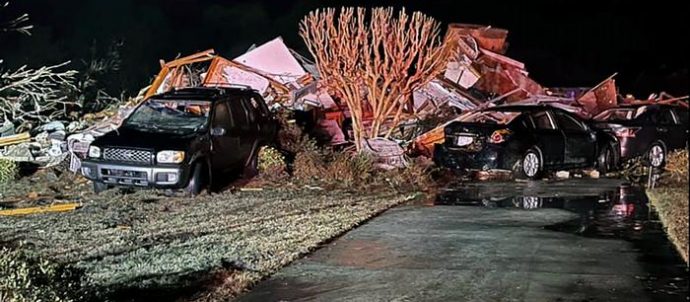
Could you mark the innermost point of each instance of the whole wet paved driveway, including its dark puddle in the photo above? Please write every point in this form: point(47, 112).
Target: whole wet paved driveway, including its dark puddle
point(575, 240)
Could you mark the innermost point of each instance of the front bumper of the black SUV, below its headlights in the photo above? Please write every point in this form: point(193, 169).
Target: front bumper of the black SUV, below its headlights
point(118, 174)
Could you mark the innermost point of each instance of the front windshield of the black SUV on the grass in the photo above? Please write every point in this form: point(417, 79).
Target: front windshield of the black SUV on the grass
point(184, 116)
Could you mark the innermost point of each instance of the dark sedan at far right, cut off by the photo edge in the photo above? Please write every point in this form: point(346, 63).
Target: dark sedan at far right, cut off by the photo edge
point(646, 130)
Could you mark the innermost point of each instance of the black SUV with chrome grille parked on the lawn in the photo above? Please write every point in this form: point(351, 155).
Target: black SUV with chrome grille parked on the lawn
point(185, 139)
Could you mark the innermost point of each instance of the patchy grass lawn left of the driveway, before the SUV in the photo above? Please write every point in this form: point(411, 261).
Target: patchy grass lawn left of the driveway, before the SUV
point(146, 244)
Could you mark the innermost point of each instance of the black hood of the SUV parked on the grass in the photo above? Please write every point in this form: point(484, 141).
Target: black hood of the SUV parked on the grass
point(133, 138)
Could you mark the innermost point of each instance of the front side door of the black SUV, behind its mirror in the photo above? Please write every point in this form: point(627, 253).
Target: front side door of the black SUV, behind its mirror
point(224, 141)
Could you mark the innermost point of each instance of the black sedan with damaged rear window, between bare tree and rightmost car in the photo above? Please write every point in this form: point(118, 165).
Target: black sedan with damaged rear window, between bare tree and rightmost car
point(528, 139)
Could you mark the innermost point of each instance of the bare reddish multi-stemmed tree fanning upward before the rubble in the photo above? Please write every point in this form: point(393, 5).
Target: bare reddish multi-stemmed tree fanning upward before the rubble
point(374, 65)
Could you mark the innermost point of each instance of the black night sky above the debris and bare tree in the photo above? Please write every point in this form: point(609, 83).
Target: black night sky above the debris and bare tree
point(563, 43)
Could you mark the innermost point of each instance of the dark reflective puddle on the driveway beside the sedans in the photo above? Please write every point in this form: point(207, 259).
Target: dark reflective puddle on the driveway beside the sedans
point(619, 212)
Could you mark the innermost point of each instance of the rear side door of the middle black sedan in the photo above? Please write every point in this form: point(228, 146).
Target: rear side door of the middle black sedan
point(549, 139)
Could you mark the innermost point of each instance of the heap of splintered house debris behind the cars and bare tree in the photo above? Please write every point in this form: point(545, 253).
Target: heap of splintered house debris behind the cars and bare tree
point(477, 75)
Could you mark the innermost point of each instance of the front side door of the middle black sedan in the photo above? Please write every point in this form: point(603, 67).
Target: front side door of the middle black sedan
point(580, 141)
